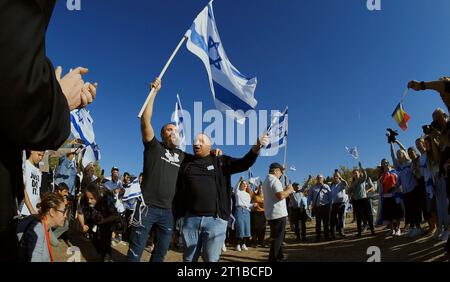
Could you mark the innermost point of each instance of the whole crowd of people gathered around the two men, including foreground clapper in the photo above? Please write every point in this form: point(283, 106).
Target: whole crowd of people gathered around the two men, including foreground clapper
point(189, 193)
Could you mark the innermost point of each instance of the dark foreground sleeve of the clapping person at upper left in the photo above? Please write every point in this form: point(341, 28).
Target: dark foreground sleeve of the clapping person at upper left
point(34, 113)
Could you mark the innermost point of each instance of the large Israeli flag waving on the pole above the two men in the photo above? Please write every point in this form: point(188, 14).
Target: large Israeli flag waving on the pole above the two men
point(231, 90)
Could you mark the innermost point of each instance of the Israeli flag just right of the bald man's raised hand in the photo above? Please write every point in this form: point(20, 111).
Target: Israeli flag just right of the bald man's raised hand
point(278, 132)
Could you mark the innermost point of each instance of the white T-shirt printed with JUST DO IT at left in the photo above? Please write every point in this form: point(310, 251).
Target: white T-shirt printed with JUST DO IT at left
point(32, 177)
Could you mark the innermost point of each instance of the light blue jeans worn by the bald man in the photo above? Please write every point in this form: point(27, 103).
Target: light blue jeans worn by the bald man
point(203, 235)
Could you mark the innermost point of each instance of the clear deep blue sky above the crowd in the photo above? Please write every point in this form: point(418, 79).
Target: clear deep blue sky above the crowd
point(340, 68)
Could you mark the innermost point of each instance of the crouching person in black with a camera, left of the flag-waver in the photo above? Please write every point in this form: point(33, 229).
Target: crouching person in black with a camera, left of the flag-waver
point(98, 217)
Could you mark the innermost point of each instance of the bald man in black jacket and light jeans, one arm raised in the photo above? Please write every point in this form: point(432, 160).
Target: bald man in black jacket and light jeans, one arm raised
point(203, 197)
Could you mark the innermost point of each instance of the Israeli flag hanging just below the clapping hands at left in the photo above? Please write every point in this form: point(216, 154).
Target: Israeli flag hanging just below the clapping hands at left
point(81, 126)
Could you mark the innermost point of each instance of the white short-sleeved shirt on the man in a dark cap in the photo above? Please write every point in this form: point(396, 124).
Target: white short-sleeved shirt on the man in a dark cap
point(273, 207)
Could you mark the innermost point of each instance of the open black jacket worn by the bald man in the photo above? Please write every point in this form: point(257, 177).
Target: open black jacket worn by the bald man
point(224, 166)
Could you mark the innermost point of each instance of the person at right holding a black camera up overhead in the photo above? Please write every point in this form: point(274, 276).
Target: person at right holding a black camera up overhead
point(409, 187)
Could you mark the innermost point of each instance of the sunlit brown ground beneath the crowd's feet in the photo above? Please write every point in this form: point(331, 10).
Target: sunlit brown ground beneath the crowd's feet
point(422, 248)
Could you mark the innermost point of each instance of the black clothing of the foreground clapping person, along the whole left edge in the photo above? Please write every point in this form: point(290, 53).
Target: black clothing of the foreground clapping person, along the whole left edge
point(34, 114)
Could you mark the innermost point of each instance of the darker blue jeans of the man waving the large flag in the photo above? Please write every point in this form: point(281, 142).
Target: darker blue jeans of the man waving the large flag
point(163, 219)
